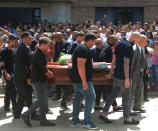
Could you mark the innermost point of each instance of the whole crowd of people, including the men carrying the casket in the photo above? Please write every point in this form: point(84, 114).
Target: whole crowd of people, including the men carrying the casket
point(131, 49)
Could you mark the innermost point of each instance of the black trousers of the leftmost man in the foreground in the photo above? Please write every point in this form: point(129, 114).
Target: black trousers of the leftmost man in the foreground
point(10, 94)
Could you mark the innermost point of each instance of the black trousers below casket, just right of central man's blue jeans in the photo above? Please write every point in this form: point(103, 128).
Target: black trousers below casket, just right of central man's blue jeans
point(106, 91)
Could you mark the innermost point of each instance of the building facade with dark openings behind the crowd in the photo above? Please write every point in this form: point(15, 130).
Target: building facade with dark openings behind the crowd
point(77, 11)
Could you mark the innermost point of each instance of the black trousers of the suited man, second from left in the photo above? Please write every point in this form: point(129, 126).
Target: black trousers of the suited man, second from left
point(24, 97)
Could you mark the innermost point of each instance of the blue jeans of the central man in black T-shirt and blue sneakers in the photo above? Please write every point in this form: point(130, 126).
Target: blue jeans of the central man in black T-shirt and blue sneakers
point(90, 96)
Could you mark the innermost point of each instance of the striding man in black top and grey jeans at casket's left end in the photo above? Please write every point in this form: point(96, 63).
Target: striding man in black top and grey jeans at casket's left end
point(40, 73)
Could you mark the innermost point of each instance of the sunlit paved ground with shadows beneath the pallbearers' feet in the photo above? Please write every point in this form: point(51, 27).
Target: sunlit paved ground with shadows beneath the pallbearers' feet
point(62, 119)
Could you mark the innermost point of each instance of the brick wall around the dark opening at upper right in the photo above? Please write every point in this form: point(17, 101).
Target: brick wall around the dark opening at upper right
point(85, 9)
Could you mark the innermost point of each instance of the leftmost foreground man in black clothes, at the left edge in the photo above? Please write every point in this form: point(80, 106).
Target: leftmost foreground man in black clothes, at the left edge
point(7, 60)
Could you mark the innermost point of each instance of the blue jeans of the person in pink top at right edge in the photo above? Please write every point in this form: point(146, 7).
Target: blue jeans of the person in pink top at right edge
point(154, 72)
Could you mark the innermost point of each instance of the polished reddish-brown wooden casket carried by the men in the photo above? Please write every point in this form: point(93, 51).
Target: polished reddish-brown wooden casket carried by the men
point(62, 77)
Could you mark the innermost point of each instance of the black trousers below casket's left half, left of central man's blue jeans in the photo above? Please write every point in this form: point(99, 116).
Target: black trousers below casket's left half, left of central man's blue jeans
point(67, 91)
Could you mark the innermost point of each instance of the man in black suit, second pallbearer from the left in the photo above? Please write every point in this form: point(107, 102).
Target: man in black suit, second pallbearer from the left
point(22, 75)
